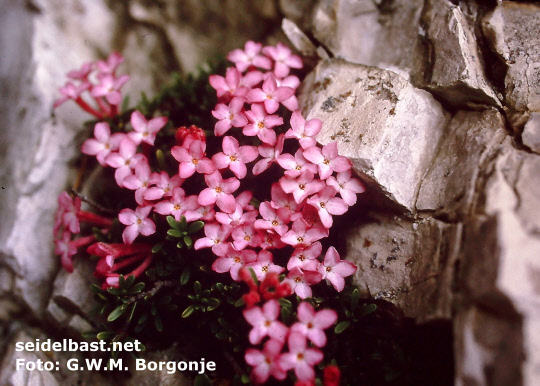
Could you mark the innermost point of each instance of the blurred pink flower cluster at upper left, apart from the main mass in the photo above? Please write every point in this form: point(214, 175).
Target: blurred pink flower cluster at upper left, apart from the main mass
point(99, 80)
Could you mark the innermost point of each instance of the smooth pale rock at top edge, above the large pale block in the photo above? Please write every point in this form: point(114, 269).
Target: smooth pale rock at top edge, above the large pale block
point(386, 34)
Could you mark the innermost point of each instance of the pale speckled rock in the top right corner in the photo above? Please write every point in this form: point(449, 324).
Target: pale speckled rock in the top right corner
point(512, 30)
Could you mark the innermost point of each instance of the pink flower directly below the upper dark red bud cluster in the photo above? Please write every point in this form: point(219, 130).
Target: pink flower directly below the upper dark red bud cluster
point(192, 160)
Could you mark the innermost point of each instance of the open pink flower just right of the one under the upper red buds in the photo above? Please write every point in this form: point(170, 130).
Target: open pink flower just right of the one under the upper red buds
point(235, 157)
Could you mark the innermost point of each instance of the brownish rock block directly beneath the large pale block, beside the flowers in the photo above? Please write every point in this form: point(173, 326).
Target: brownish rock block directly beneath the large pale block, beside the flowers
point(407, 263)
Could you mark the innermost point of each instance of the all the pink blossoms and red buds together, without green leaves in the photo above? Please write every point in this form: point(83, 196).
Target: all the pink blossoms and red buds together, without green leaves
point(255, 97)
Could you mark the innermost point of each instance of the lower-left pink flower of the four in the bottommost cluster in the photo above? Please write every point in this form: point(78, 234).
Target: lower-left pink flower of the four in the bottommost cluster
point(266, 362)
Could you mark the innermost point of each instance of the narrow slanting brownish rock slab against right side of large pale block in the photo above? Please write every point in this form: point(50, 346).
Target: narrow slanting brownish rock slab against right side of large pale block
point(449, 185)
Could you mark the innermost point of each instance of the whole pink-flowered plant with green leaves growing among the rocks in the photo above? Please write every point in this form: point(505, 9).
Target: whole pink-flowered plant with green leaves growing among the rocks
point(217, 219)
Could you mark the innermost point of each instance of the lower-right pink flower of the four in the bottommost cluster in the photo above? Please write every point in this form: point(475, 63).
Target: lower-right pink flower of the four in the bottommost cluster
point(300, 358)
